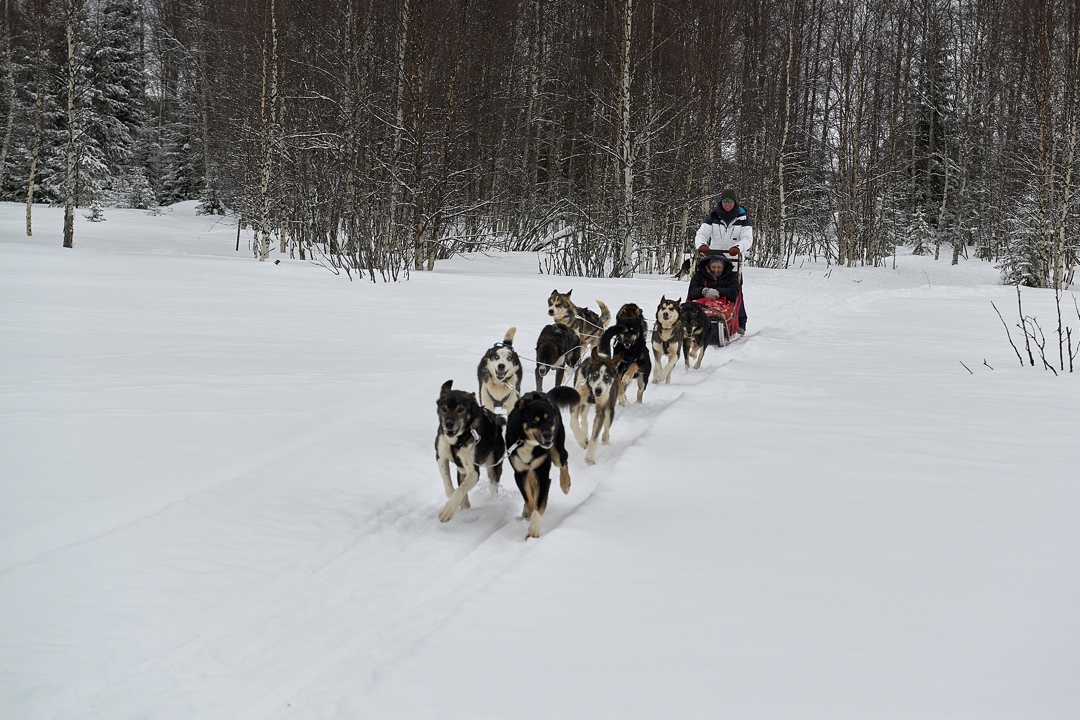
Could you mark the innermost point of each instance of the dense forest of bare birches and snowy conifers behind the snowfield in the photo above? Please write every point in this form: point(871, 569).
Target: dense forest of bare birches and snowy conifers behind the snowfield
point(380, 137)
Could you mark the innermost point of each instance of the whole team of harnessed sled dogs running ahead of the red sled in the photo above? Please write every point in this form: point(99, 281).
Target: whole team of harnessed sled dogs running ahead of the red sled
point(604, 362)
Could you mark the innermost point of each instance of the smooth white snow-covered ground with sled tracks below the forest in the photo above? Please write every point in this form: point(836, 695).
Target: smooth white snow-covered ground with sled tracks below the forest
point(219, 498)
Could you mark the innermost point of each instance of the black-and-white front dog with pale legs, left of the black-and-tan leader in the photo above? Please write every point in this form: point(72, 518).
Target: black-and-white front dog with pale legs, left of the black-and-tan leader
point(469, 437)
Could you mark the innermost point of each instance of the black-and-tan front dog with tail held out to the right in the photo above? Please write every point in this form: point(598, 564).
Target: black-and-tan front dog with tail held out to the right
point(537, 441)
